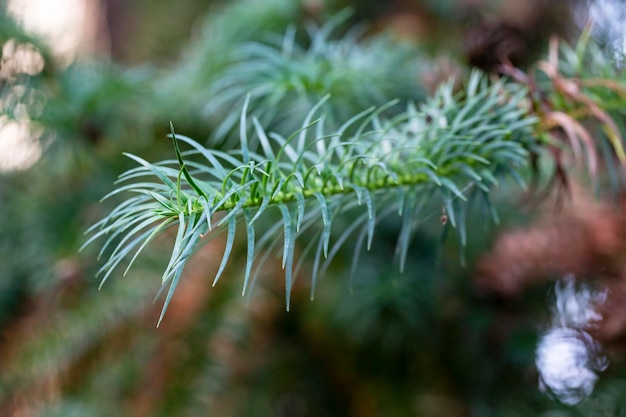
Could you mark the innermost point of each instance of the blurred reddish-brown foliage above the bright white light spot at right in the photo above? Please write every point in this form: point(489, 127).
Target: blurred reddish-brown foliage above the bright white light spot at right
point(581, 236)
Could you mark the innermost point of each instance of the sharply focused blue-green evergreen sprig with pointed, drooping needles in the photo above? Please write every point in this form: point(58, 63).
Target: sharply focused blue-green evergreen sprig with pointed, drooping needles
point(435, 152)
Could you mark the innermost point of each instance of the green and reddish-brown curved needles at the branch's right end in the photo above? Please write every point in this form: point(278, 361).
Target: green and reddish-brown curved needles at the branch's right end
point(577, 94)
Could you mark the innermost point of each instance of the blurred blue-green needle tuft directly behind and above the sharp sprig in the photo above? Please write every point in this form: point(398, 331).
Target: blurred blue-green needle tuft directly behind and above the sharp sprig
point(286, 75)
